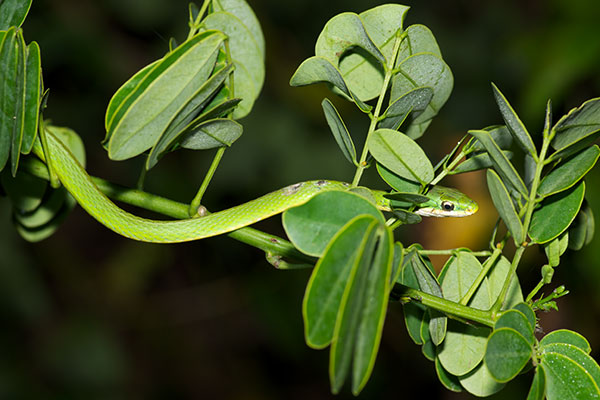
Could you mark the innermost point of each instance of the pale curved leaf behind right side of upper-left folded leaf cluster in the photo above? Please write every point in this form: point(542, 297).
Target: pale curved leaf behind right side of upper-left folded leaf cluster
point(246, 54)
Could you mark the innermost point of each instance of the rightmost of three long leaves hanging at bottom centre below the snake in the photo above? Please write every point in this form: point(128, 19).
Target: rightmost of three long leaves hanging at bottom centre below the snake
point(373, 310)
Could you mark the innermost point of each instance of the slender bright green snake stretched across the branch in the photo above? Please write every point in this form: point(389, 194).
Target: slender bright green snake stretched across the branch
point(442, 202)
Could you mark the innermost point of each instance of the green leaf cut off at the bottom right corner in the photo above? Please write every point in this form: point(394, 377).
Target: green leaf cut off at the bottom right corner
point(566, 379)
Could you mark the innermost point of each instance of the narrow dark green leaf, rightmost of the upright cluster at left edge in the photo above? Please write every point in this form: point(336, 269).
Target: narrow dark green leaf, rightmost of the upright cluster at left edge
point(33, 87)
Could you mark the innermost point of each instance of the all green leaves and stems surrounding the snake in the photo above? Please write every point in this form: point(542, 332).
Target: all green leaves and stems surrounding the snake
point(472, 319)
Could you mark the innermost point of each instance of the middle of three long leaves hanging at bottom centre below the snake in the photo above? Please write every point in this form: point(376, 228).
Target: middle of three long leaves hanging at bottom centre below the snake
point(348, 315)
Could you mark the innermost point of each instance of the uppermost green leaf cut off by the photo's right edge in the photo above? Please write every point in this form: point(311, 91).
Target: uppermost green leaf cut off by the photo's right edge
point(578, 124)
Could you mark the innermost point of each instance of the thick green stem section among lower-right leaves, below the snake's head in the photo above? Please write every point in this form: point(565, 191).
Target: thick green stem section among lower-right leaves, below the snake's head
point(448, 307)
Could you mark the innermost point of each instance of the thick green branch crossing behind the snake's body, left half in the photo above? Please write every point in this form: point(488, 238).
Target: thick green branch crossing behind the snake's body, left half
point(161, 205)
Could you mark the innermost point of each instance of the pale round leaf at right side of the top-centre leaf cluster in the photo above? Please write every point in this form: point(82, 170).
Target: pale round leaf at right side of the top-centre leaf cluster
point(423, 70)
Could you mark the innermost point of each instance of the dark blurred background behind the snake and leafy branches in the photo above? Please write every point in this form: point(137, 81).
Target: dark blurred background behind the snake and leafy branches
point(88, 314)
